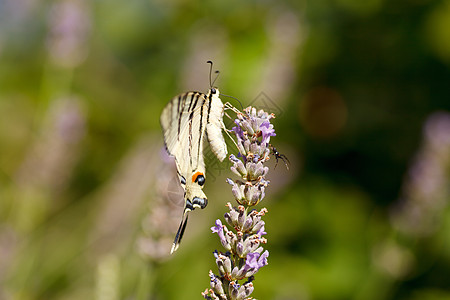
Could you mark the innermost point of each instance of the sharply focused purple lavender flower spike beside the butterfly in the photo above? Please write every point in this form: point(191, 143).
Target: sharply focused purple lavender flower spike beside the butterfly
point(244, 255)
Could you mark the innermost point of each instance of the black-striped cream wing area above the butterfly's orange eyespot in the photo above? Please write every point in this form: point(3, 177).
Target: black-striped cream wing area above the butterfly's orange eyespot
point(184, 123)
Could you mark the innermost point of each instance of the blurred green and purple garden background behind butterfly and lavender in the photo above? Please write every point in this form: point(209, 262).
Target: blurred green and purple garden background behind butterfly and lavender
point(89, 203)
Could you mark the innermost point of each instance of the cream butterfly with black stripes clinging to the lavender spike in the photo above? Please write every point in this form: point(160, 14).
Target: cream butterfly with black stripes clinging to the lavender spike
point(184, 121)
